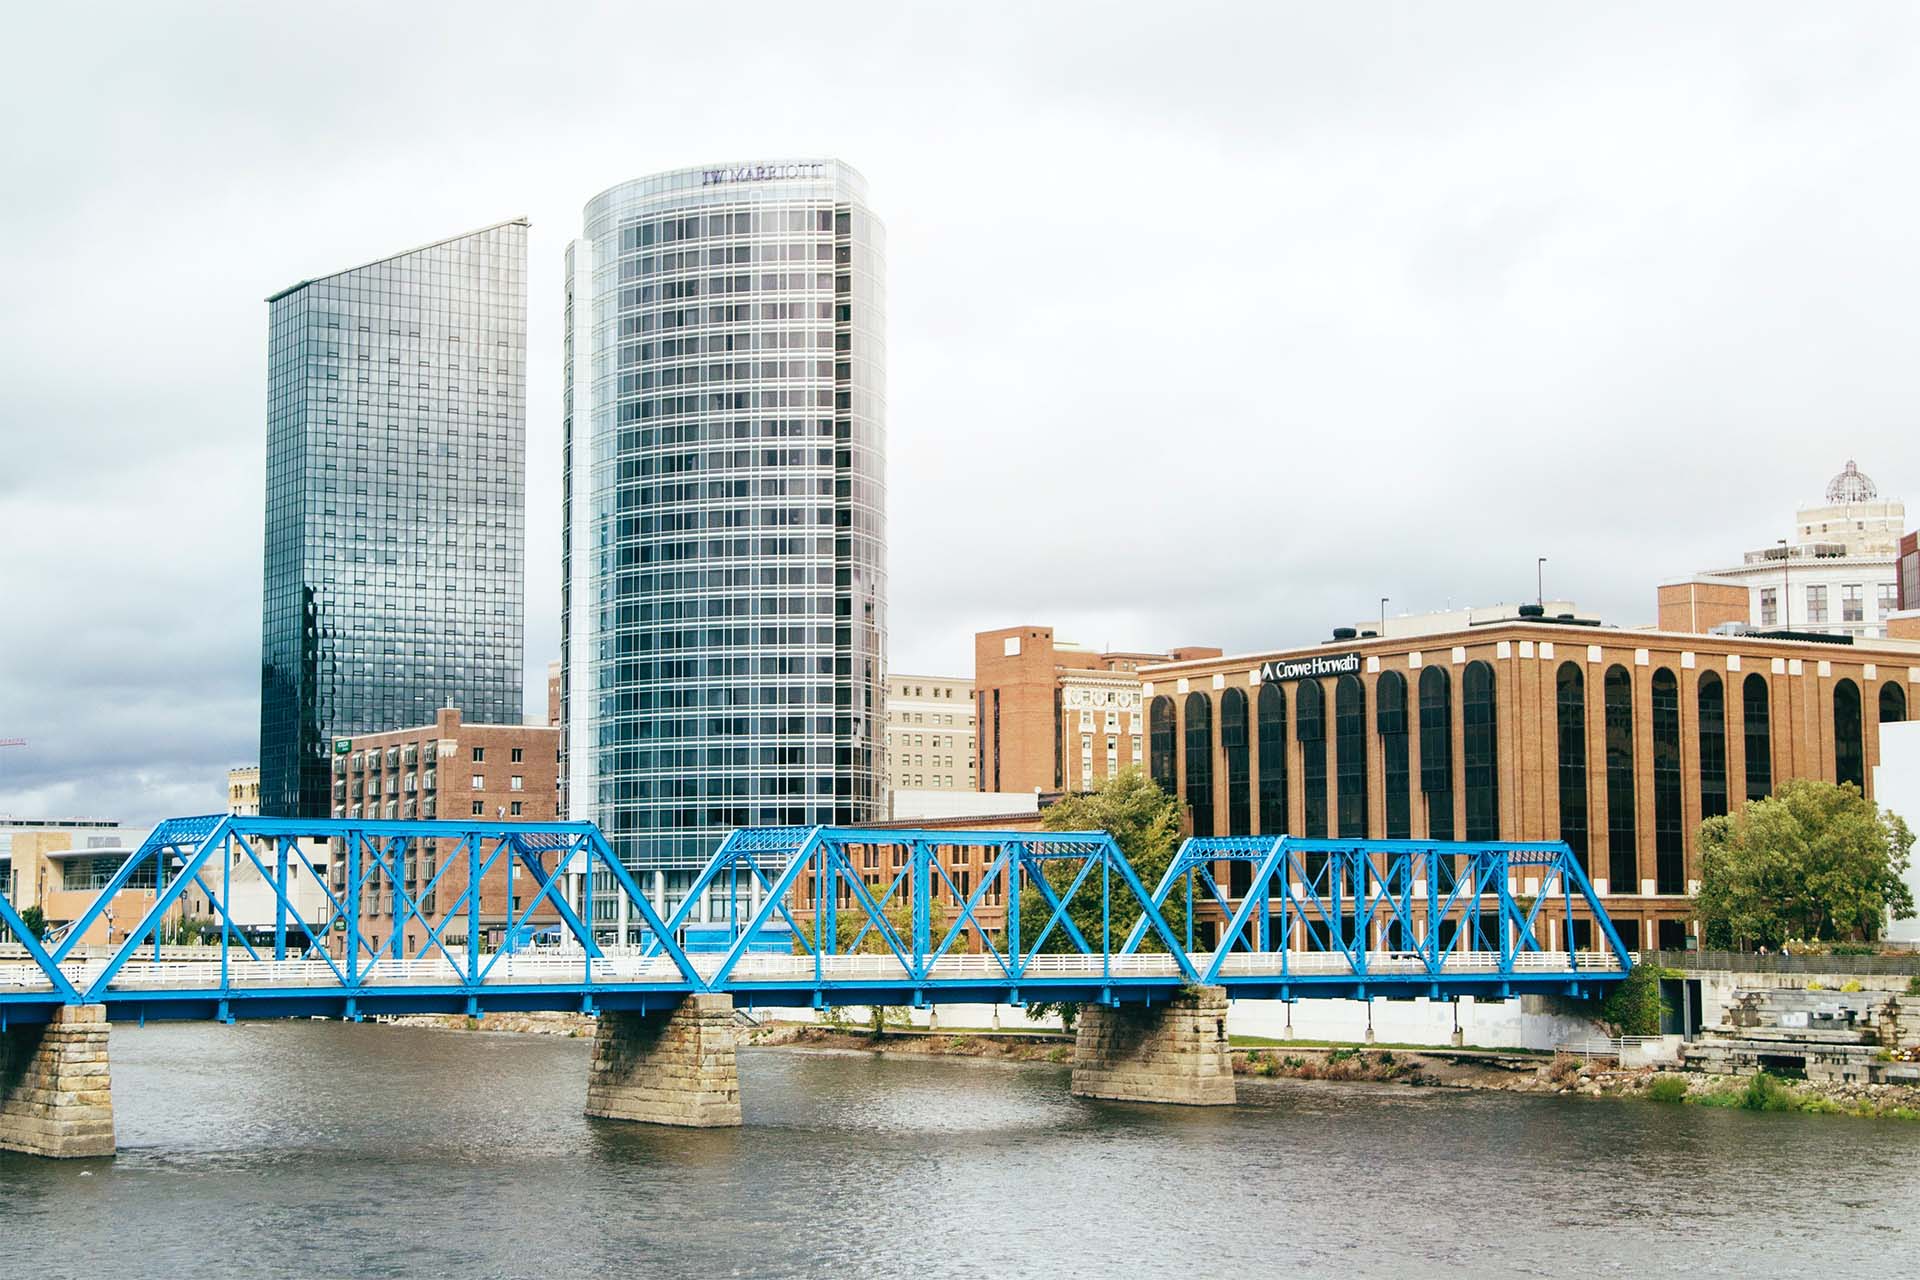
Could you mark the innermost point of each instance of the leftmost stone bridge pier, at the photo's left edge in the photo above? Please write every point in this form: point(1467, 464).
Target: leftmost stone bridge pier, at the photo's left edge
point(57, 1093)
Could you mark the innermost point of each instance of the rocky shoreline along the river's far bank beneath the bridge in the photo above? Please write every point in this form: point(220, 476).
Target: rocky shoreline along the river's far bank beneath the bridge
point(1416, 1068)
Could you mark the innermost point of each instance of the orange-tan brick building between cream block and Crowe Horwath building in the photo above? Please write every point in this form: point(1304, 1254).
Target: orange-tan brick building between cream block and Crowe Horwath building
point(1057, 717)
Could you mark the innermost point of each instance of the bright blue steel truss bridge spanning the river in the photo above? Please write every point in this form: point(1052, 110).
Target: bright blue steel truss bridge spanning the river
point(807, 916)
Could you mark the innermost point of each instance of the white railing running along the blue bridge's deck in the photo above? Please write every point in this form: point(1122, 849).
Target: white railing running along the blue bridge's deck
point(573, 968)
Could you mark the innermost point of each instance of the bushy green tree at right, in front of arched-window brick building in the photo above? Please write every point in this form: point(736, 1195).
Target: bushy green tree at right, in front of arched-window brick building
point(1815, 861)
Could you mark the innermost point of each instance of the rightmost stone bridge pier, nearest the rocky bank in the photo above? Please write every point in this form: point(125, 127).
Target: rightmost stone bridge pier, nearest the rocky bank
point(1172, 1053)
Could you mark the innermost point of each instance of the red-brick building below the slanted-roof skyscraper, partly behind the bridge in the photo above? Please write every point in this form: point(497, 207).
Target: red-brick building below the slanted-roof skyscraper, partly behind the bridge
point(446, 770)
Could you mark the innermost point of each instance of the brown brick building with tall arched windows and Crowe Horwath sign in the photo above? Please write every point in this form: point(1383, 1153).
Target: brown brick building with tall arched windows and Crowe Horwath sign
point(1525, 730)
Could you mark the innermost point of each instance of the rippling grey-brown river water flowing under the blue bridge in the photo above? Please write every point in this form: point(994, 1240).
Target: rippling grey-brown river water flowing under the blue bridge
point(337, 1150)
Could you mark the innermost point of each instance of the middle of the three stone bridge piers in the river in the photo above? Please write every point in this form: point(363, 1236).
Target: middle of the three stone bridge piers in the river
point(667, 1068)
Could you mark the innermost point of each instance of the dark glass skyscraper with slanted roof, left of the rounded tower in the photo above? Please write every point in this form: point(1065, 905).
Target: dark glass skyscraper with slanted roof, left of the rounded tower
point(396, 504)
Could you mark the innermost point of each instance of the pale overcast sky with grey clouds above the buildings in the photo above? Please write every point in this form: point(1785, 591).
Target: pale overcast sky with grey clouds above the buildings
point(1207, 323)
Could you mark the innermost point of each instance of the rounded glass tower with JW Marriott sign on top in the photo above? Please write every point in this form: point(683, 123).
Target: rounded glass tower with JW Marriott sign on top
point(725, 559)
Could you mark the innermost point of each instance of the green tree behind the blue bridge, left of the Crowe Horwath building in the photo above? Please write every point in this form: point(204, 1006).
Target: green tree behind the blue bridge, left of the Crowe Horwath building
point(1147, 826)
